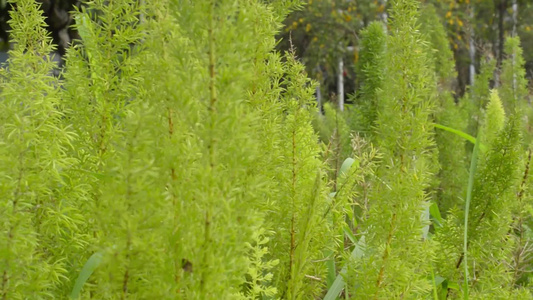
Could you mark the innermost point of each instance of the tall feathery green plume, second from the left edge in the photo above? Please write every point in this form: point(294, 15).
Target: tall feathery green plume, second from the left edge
point(115, 149)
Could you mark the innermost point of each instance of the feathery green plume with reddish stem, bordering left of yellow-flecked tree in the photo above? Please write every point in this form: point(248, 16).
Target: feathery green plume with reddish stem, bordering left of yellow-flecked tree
point(294, 188)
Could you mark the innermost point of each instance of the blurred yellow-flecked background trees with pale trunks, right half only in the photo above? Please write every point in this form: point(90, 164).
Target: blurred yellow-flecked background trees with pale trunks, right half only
point(325, 31)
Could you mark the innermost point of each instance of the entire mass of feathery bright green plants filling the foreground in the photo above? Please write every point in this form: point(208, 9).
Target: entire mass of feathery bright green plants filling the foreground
point(179, 156)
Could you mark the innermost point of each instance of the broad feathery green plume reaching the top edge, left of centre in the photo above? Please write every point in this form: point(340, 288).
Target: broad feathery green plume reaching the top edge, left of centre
point(211, 140)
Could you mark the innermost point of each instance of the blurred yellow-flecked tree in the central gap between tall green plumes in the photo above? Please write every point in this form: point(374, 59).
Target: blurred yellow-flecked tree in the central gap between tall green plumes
point(322, 33)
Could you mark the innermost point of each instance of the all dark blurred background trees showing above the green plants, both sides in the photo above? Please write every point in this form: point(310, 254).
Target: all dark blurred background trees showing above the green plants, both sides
point(324, 33)
